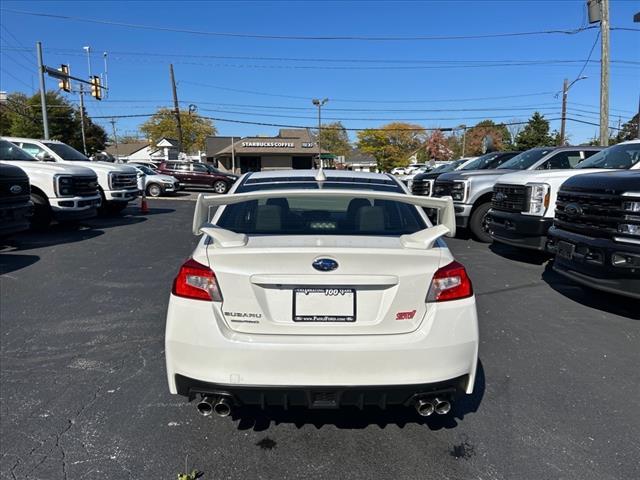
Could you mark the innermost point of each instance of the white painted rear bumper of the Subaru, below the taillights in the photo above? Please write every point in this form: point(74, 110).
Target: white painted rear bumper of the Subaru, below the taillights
point(200, 347)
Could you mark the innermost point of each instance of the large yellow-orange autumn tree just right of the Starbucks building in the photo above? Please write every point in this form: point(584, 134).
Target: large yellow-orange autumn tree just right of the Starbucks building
point(392, 144)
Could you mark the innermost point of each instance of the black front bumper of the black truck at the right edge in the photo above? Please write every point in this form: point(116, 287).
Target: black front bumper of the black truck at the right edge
point(591, 264)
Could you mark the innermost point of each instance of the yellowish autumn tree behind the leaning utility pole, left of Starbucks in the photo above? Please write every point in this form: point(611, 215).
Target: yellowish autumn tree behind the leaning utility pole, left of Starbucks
point(195, 129)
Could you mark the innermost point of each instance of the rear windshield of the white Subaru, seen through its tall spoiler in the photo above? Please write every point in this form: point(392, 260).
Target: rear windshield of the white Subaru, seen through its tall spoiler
point(322, 215)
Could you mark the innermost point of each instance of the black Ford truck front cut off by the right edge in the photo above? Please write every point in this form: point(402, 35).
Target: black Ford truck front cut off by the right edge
point(596, 232)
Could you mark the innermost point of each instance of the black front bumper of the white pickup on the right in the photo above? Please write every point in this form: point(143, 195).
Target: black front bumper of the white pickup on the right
point(519, 230)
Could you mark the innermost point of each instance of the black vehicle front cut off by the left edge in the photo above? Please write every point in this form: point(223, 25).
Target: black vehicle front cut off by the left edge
point(15, 203)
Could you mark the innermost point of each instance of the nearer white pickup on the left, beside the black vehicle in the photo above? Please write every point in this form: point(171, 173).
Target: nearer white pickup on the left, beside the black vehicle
point(58, 191)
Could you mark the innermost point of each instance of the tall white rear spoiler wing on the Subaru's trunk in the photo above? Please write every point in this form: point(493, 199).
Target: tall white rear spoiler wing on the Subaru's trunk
point(422, 239)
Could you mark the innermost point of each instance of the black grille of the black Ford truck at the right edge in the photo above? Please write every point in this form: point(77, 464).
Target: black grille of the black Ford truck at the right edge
point(595, 214)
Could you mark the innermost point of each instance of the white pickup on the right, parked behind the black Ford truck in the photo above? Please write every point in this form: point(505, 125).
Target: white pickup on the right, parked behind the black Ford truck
point(522, 205)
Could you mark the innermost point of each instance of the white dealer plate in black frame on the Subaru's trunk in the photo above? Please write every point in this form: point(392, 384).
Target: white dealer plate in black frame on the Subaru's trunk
point(324, 305)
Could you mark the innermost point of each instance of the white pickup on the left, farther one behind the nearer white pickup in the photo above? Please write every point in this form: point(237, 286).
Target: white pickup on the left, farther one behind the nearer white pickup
point(118, 184)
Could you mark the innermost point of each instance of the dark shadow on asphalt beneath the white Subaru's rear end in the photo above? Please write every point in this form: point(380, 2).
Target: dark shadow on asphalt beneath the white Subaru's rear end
point(250, 418)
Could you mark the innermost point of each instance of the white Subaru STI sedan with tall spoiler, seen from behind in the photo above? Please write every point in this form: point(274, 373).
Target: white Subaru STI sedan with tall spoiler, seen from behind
point(321, 289)
